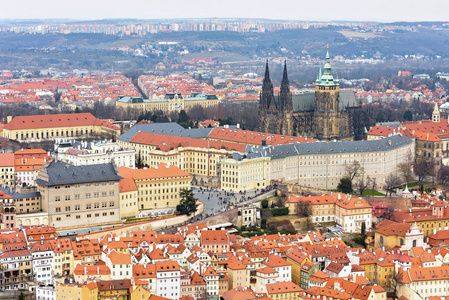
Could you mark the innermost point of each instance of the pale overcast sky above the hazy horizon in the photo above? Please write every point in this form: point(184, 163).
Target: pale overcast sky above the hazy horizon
point(316, 10)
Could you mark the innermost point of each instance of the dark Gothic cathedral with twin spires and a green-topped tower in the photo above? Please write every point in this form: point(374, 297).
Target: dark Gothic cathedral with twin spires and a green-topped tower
point(326, 114)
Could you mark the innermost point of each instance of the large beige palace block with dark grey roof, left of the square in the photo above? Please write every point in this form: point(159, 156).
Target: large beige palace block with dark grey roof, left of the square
point(74, 195)
